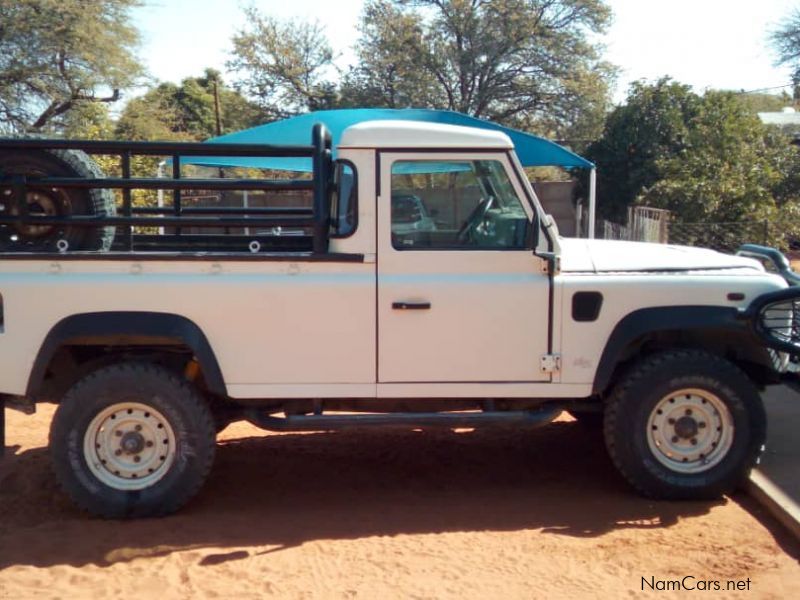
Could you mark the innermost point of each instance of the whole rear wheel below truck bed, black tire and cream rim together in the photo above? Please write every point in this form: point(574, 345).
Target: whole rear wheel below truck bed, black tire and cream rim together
point(132, 439)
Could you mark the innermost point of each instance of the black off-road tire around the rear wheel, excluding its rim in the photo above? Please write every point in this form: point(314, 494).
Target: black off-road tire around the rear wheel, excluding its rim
point(132, 384)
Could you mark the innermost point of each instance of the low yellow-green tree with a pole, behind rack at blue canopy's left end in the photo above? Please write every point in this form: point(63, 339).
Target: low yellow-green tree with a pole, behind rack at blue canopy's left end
point(198, 108)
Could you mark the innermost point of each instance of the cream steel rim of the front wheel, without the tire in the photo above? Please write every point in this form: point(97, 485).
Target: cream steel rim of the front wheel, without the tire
point(690, 430)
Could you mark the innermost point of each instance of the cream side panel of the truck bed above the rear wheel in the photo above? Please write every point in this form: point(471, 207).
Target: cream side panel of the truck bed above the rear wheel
point(267, 322)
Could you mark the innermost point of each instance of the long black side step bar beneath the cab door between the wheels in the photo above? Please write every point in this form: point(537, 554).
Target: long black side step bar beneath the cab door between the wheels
point(323, 422)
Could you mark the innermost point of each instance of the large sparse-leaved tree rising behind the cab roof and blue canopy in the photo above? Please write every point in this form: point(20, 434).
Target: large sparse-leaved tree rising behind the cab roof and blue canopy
point(519, 62)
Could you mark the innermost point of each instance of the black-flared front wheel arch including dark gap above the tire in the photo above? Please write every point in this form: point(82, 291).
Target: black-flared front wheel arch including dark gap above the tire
point(717, 329)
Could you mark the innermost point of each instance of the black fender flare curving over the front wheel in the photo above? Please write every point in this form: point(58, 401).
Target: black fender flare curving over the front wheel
point(694, 319)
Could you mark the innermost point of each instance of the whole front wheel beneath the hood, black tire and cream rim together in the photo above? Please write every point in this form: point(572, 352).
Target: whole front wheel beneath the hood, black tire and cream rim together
point(684, 425)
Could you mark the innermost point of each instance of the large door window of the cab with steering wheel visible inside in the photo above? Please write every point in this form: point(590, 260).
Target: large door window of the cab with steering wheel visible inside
point(452, 205)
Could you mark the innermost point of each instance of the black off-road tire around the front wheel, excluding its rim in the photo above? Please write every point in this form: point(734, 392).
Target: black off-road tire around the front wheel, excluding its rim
point(629, 411)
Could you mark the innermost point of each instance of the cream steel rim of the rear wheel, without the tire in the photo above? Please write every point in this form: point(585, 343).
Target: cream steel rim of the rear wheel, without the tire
point(129, 446)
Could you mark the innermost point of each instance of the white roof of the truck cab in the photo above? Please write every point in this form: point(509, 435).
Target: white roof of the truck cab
point(420, 134)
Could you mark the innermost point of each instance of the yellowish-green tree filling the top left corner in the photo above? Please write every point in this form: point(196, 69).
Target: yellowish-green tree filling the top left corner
point(56, 55)
